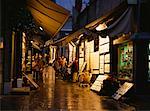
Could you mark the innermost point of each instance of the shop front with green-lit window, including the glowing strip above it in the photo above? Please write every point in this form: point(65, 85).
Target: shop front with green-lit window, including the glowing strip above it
point(124, 58)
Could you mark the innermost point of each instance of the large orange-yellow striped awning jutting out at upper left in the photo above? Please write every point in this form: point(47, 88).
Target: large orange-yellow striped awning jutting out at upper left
point(48, 15)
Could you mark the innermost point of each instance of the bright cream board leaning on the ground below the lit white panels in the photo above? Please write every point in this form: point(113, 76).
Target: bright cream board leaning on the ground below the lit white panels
point(98, 83)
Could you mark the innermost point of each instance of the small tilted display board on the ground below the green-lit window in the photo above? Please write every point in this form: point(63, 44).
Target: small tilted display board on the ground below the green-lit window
point(122, 90)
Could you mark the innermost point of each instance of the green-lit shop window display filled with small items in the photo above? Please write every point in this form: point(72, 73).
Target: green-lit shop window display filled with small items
point(125, 61)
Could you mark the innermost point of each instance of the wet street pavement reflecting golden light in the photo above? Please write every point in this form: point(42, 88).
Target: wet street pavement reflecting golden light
point(59, 95)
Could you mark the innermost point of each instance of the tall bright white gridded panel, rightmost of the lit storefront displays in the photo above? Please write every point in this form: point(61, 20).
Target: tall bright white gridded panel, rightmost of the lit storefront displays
point(104, 52)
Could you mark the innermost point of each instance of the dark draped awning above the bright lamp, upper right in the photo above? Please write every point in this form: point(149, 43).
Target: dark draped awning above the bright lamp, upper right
point(118, 21)
